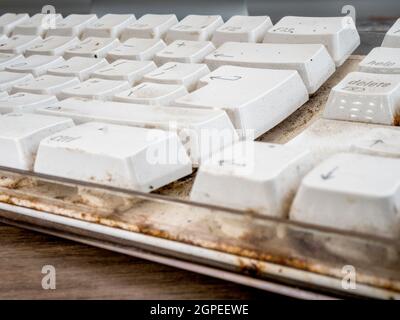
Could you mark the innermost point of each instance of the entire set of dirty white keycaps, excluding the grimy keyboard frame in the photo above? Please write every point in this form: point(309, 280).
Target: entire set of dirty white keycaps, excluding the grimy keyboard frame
point(138, 103)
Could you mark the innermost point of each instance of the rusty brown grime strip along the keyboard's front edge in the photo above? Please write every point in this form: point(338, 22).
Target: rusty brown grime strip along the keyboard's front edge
point(146, 227)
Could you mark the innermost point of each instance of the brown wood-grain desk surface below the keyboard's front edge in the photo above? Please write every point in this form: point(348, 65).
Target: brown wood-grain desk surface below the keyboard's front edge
point(85, 272)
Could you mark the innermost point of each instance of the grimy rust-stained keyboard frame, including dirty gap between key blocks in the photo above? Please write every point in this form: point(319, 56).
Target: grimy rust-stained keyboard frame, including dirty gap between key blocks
point(273, 254)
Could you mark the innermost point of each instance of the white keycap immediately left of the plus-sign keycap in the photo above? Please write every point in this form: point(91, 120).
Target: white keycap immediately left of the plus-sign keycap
point(137, 49)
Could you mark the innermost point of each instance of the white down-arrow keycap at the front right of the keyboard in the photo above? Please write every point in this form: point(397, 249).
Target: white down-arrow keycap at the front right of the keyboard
point(353, 193)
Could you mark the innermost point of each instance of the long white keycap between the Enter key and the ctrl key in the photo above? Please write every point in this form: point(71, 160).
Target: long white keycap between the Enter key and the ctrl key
point(203, 132)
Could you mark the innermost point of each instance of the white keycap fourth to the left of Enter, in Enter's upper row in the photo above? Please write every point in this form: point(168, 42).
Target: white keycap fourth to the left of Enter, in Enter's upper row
point(37, 64)
